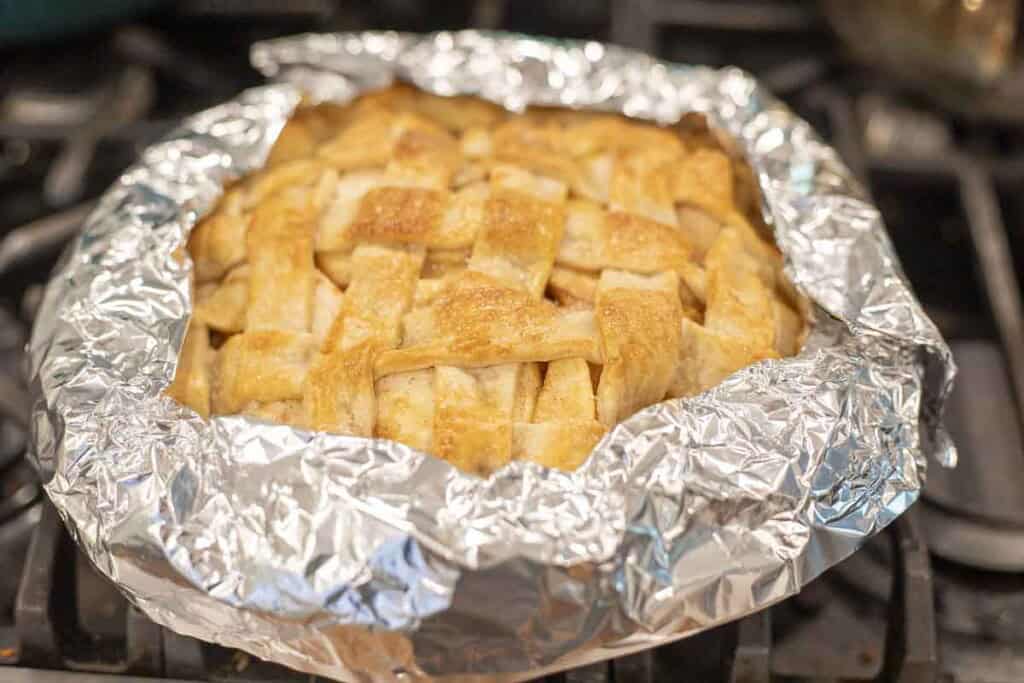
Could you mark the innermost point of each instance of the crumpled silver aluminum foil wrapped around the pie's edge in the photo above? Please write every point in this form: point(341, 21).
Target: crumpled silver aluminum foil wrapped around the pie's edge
point(366, 561)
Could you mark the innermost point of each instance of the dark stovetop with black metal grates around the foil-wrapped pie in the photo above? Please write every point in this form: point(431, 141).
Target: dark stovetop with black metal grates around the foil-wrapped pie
point(937, 597)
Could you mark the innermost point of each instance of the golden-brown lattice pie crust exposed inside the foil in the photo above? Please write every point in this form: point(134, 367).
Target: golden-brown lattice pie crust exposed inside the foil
point(479, 285)
